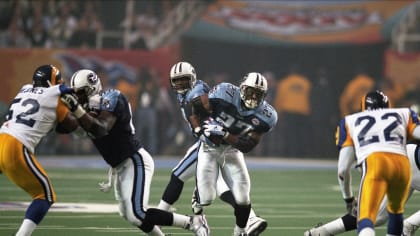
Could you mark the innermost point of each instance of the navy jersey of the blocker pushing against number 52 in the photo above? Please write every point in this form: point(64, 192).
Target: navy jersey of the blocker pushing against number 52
point(120, 143)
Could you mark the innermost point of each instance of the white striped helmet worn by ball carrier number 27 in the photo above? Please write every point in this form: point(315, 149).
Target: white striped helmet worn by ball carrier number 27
point(253, 89)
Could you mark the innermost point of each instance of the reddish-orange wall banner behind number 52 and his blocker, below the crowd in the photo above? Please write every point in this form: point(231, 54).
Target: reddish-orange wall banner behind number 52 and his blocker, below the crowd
point(17, 65)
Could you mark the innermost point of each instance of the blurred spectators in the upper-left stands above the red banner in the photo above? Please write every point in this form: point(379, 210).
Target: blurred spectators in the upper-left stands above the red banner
point(77, 23)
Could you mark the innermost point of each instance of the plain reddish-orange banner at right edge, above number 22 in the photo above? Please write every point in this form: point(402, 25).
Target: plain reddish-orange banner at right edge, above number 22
point(403, 69)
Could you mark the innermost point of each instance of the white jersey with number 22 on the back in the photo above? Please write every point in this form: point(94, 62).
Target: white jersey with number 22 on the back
point(382, 130)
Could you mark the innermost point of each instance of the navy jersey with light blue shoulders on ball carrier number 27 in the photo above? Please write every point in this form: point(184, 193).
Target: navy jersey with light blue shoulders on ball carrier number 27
point(227, 109)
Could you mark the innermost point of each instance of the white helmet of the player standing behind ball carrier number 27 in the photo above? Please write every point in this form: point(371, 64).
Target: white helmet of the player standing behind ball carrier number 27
point(182, 77)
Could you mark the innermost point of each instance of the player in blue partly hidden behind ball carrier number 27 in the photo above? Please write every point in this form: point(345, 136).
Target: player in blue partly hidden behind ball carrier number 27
point(188, 89)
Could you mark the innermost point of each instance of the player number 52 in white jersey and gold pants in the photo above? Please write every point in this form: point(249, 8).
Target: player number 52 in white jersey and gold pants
point(33, 113)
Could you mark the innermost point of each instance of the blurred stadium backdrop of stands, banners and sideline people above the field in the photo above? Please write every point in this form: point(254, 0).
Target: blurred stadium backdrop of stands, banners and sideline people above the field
point(317, 56)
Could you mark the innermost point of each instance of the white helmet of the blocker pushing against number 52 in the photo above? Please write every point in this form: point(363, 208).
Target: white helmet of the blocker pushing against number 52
point(87, 82)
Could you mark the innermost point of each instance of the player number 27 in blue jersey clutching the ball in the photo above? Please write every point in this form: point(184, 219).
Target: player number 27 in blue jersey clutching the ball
point(239, 116)
